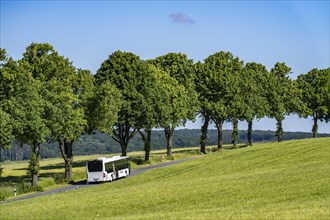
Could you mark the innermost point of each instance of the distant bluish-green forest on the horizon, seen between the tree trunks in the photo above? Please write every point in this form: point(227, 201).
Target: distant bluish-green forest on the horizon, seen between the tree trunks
point(100, 143)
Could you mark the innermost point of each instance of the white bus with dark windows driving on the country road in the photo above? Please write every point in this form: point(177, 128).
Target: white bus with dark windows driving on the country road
point(107, 169)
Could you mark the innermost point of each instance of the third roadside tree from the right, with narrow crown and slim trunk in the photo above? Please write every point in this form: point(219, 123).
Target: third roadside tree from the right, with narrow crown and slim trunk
point(253, 93)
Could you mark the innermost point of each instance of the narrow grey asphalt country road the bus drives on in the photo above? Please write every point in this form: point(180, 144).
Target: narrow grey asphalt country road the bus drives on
point(83, 185)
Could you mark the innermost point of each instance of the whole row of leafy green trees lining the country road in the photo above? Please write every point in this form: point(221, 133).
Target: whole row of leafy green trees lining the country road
point(45, 98)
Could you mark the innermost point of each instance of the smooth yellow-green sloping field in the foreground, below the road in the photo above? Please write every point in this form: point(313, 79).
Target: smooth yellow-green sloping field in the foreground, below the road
point(288, 180)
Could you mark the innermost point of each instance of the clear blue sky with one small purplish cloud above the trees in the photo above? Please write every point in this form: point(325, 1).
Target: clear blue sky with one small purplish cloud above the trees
point(294, 32)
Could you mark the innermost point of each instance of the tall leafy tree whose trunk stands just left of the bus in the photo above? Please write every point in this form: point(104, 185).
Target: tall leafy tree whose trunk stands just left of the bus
point(65, 114)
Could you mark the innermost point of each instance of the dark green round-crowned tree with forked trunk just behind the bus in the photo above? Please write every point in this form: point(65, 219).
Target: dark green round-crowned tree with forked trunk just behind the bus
point(129, 74)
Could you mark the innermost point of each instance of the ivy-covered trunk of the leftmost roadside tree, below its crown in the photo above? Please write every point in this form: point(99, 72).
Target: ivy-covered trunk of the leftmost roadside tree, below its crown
point(34, 163)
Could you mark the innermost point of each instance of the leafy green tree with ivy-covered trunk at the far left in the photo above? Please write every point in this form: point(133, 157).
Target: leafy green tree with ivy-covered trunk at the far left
point(23, 98)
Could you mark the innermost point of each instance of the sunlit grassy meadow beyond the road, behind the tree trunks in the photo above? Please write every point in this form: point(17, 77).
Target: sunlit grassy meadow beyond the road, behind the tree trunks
point(52, 171)
